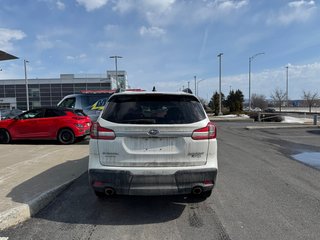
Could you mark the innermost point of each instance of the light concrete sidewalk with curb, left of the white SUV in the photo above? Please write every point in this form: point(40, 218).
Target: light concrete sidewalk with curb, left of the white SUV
point(32, 174)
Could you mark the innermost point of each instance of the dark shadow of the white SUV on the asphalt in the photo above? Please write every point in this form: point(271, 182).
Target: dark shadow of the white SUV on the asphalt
point(79, 205)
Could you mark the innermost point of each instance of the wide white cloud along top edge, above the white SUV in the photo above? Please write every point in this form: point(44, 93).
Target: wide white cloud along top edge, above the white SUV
point(162, 13)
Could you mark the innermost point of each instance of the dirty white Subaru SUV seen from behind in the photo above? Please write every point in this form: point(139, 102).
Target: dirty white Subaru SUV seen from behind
point(151, 143)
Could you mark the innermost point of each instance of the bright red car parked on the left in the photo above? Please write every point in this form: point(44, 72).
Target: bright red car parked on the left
point(52, 123)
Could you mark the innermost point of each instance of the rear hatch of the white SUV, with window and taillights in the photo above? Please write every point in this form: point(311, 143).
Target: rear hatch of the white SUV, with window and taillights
point(153, 130)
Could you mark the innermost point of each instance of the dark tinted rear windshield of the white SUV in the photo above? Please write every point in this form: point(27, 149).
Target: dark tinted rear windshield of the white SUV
point(153, 109)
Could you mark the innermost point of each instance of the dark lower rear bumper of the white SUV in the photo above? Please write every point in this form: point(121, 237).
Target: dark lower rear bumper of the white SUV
point(125, 182)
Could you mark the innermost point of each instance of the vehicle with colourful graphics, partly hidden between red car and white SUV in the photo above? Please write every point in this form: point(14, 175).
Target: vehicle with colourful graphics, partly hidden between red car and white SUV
point(84, 101)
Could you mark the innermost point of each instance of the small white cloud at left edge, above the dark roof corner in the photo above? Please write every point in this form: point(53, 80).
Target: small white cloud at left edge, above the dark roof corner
point(9, 35)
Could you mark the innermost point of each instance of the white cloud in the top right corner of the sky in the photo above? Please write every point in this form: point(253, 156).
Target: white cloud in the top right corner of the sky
point(295, 11)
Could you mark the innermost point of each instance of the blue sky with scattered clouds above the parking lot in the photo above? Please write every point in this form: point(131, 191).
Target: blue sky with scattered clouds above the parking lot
point(165, 43)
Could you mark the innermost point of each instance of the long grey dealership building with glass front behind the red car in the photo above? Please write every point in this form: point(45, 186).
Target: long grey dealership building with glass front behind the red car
point(49, 91)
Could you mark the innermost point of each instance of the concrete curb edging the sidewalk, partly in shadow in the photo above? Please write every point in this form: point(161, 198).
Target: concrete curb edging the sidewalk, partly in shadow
point(21, 213)
